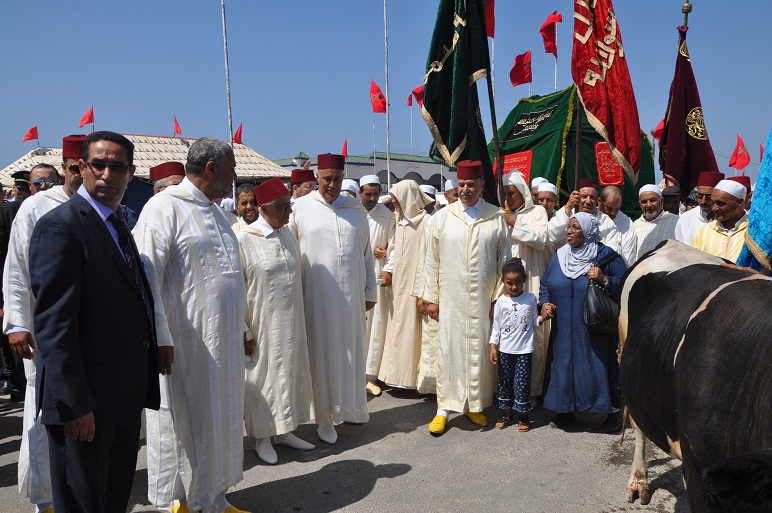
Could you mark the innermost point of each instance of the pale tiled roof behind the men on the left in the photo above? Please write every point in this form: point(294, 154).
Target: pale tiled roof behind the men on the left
point(151, 150)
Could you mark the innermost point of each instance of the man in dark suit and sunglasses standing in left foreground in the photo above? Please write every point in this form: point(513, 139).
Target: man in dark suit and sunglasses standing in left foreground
point(95, 332)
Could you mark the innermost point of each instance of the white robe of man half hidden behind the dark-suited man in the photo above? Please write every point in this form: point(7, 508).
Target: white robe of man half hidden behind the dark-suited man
point(34, 471)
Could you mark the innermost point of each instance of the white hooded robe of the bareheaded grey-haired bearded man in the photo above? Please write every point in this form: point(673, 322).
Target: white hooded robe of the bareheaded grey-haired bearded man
point(191, 259)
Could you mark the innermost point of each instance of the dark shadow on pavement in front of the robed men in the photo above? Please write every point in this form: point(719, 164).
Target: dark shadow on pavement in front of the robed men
point(332, 487)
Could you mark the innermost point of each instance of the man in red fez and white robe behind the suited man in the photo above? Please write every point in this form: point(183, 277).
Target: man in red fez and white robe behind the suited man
point(34, 471)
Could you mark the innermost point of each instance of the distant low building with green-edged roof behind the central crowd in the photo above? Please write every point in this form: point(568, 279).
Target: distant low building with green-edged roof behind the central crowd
point(422, 169)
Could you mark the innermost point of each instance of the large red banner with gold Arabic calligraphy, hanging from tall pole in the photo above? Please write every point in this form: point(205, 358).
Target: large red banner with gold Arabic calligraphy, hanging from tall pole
point(599, 69)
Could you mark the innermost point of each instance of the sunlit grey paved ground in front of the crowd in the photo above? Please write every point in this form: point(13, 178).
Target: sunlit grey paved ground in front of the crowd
point(392, 464)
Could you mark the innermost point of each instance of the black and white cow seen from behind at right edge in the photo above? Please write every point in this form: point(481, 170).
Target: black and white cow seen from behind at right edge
point(696, 365)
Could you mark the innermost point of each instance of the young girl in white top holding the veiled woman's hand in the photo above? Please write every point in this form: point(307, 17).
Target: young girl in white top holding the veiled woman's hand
point(512, 341)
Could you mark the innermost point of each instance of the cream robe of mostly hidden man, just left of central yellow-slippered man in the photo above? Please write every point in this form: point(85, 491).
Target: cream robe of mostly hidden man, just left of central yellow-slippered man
point(428, 365)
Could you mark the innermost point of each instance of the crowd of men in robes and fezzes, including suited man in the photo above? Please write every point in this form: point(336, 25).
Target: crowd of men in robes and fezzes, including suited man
point(289, 312)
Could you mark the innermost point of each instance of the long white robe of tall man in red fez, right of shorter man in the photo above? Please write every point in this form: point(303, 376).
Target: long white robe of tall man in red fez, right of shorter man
point(338, 275)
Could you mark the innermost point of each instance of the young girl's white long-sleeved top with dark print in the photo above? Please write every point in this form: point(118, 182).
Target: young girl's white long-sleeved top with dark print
point(514, 319)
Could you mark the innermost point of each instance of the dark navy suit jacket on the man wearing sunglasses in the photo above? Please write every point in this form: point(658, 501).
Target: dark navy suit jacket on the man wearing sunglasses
point(97, 343)
